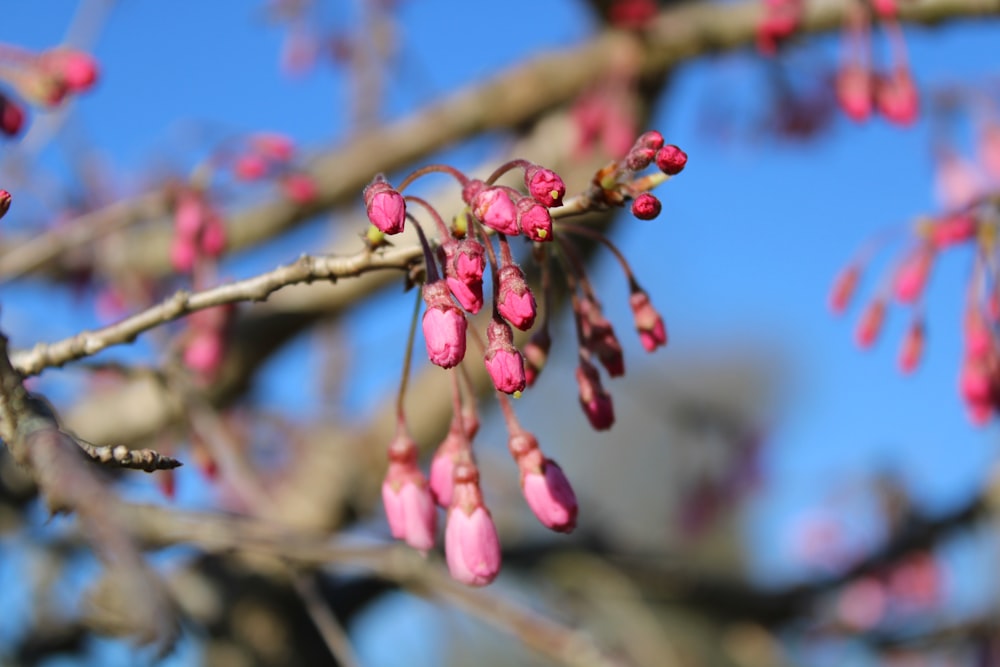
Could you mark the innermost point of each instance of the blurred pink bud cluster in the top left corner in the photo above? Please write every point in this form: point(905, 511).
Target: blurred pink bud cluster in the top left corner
point(42, 79)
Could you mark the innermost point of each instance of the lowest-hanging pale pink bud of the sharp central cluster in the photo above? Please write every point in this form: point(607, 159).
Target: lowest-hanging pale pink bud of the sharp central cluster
point(471, 544)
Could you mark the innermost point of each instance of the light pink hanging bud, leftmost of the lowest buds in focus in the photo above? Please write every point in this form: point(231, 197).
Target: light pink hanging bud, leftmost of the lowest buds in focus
point(407, 497)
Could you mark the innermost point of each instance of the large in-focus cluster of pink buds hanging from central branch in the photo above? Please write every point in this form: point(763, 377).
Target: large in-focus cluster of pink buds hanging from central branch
point(457, 258)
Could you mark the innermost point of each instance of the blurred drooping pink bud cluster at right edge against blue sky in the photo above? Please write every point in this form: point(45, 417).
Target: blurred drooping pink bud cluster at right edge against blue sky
point(980, 372)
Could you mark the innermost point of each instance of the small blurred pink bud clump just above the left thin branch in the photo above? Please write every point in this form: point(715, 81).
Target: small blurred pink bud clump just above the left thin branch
point(199, 232)
